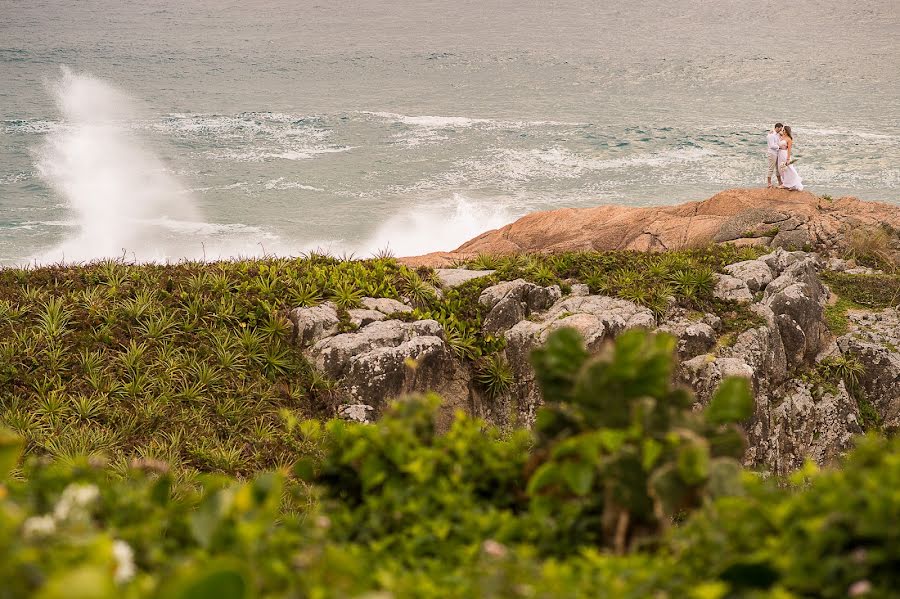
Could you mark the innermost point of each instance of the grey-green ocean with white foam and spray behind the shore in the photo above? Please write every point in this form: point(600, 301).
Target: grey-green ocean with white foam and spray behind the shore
point(161, 130)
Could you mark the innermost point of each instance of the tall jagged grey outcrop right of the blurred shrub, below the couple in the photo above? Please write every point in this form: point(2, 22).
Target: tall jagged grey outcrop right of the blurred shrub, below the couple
point(789, 424)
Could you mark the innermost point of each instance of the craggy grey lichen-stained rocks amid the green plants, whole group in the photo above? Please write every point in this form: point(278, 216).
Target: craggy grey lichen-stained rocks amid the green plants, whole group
point(811, 388)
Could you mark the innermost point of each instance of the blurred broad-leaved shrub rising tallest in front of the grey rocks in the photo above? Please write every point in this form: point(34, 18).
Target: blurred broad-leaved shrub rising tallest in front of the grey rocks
point(619, 451)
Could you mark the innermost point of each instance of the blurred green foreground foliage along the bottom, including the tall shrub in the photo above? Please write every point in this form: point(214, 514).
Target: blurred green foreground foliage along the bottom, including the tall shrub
point(621, 491)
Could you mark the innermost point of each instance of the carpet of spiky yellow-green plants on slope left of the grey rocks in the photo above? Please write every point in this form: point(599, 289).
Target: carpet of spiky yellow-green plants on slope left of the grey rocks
point(190, 363)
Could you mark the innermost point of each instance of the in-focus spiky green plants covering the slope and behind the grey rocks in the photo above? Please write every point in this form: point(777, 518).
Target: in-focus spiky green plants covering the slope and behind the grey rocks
point(193, 363)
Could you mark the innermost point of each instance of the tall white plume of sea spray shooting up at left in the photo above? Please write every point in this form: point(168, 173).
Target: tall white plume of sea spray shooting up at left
point(119, 192)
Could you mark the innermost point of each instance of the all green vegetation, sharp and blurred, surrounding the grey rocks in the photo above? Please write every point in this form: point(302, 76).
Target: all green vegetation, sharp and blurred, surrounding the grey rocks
point(162, 435)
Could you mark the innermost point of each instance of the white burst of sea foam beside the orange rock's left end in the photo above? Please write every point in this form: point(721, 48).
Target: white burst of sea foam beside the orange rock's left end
point(436, 227)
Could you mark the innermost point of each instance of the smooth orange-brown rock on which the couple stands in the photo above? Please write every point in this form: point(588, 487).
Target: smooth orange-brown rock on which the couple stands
point(799, 218)
